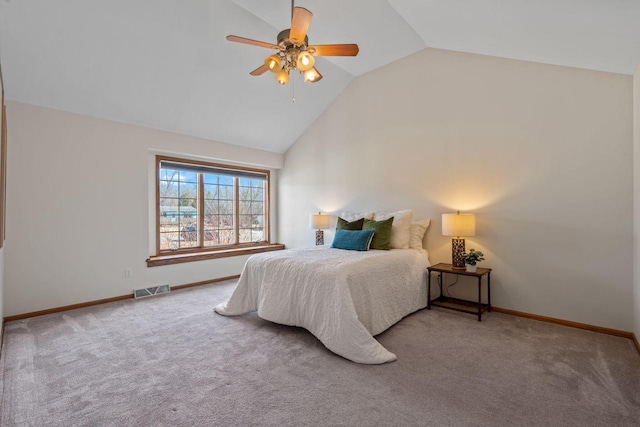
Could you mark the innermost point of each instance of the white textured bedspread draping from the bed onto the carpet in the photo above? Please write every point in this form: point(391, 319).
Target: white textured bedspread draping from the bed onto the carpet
point(341, 297)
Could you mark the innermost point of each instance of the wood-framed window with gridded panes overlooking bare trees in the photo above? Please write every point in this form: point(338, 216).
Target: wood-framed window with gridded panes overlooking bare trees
point(208, 207)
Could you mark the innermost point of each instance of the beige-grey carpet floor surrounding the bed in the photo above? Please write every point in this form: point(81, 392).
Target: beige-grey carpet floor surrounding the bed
point(171, 361)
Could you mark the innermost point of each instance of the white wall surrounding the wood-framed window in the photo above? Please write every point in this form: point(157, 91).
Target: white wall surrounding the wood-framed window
point(78, 209)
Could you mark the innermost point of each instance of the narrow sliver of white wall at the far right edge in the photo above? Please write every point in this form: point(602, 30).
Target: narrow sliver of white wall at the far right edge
point(636, 199)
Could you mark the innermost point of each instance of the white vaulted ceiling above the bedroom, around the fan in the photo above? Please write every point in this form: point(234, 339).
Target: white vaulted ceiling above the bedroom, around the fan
point(166, 64)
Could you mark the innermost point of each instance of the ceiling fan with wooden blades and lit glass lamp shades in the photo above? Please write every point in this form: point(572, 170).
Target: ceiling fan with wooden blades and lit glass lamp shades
point(294, 52)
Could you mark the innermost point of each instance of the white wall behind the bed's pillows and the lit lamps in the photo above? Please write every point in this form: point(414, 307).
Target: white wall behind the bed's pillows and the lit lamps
point(541, 154)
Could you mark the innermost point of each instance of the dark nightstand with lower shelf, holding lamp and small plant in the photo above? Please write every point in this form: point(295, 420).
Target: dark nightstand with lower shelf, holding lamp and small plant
point(465, 306)
